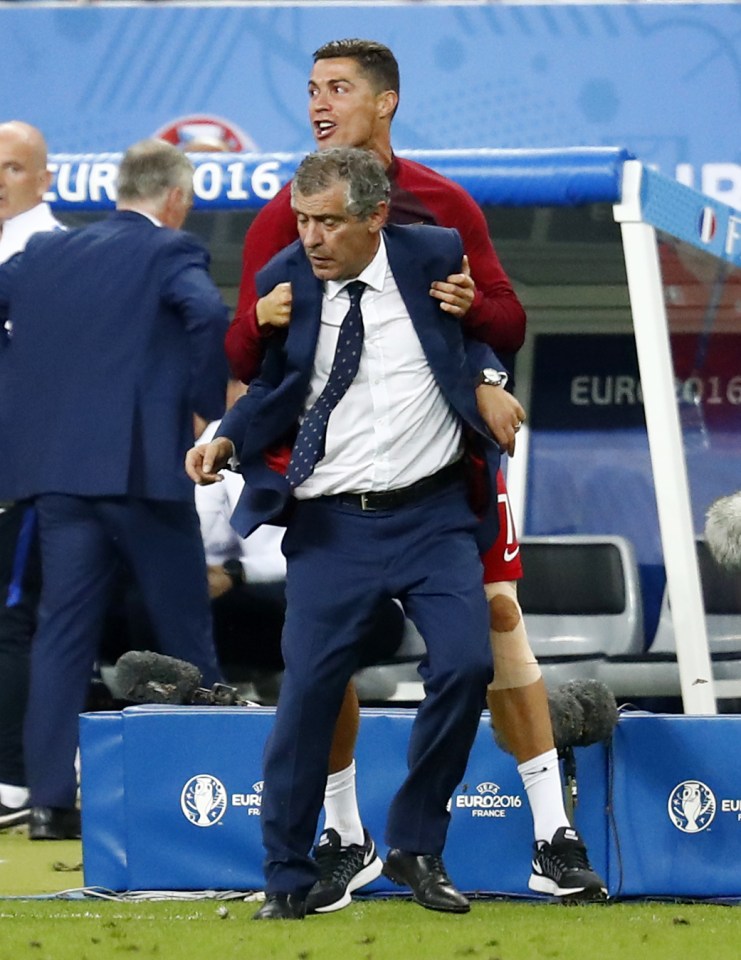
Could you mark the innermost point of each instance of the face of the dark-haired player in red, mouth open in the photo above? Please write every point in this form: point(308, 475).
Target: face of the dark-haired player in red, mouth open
point(344, 110)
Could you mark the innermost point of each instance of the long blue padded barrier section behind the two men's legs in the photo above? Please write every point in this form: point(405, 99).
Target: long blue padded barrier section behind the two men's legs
point(171, 800)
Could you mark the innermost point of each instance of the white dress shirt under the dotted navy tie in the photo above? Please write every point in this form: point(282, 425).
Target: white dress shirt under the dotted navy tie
point(393, 426)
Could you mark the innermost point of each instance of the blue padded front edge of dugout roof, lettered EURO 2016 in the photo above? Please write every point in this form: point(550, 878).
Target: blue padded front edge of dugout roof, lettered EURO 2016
point(229, 181)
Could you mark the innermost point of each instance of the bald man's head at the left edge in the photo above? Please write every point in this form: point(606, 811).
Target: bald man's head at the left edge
point(24, 178)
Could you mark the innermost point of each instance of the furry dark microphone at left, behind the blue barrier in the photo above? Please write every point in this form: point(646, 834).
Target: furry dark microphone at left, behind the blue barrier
point(146, 677)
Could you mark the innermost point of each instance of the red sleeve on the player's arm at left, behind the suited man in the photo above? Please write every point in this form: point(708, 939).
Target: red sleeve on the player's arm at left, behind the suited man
point(272, 229)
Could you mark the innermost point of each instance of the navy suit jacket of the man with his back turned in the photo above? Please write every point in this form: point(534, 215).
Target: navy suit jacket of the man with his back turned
point(117, 340)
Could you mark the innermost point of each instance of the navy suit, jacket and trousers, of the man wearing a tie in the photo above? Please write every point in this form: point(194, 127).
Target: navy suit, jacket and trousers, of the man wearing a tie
point(343, 562)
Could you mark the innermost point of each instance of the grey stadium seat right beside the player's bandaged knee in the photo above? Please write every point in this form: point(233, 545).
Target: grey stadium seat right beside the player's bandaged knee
point(582, 603)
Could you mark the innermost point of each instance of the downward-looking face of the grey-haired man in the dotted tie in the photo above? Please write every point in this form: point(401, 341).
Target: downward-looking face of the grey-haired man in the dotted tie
point(338, 245)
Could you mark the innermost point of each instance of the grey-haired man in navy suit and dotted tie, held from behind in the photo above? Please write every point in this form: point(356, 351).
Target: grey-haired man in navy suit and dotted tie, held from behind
point(377, 506)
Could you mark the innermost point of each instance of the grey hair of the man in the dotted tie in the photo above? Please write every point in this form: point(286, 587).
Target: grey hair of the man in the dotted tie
point(366, 183)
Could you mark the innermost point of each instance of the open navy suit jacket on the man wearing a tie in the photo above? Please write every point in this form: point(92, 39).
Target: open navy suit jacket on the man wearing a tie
point(263, 423)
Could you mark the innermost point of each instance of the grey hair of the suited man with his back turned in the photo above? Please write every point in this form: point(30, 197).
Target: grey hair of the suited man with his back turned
point(152, 167)
